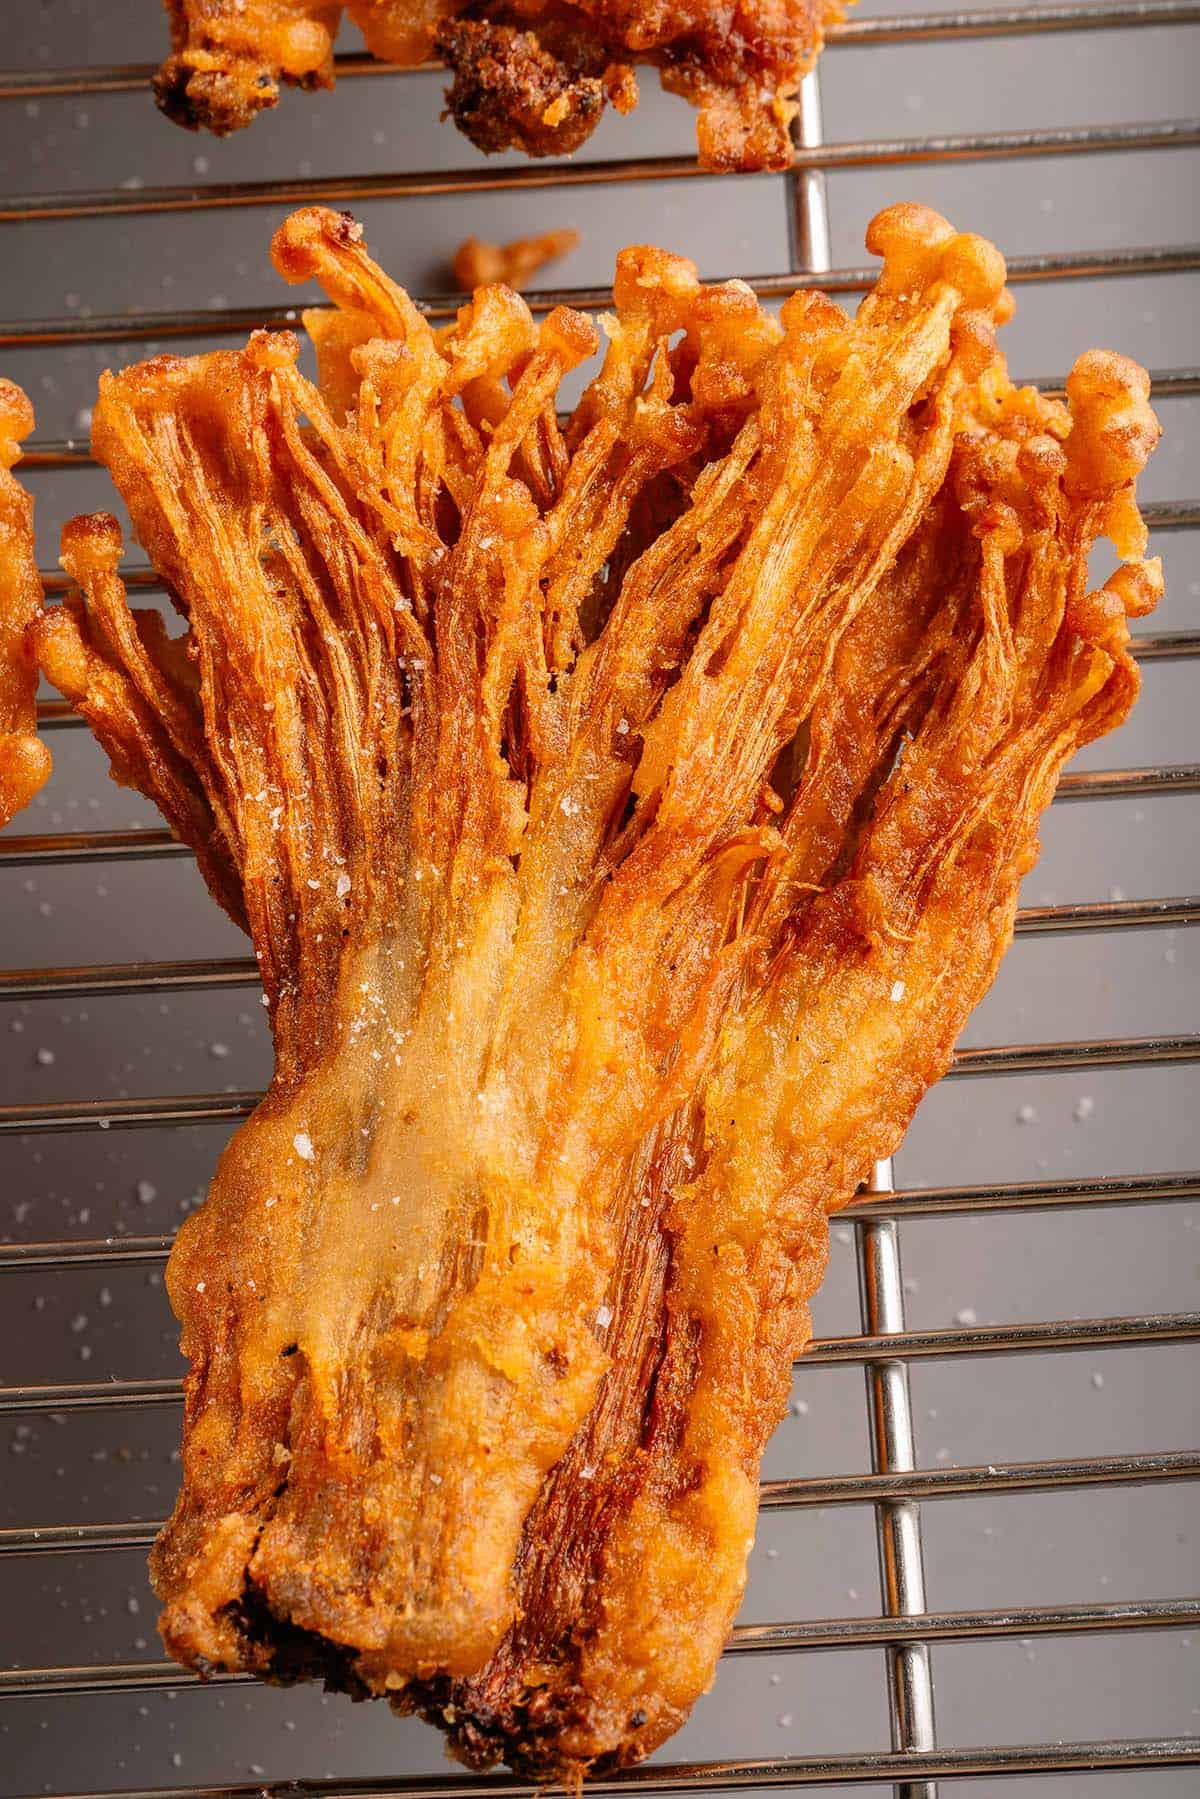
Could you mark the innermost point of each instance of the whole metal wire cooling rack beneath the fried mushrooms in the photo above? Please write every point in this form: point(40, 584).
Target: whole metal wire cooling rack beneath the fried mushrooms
point(886, 1345)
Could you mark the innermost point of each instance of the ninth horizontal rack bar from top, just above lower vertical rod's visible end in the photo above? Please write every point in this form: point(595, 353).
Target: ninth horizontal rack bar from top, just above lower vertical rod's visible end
point(217, 1109)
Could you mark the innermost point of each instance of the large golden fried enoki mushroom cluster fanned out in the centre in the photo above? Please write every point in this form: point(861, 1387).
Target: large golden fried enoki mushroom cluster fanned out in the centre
point(627, 814)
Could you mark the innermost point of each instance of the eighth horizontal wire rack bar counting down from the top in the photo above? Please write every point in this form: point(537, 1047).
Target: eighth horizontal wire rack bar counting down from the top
point(215, 974)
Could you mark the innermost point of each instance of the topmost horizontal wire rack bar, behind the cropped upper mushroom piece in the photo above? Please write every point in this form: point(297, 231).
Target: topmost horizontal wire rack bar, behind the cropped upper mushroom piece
point(866, 33)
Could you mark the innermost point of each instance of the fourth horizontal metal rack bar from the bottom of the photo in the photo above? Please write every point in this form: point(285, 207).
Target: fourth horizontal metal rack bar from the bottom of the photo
point(875, 1348)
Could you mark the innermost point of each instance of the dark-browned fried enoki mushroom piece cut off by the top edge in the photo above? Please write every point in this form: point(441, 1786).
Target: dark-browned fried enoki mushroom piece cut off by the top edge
point(528, 75)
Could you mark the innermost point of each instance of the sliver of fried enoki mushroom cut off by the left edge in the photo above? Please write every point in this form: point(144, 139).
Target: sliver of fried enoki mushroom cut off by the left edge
point(24, 758)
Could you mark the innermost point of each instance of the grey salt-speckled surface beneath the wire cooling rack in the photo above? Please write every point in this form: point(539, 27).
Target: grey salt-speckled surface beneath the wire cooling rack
point(809, 1564)
